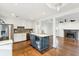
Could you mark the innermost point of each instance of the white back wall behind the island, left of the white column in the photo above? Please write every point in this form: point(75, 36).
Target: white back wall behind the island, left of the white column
point(44, 26)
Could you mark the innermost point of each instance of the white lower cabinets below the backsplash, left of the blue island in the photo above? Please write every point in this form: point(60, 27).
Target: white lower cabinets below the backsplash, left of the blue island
point(19, 37)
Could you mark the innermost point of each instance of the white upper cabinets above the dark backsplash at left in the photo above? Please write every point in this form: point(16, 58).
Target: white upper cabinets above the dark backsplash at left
point(20, 22)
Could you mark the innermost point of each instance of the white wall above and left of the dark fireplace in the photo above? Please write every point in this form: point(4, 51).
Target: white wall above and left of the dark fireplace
point(72, 26)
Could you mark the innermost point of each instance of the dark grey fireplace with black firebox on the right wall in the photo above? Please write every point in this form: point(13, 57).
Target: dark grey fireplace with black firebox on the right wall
point(71, 34)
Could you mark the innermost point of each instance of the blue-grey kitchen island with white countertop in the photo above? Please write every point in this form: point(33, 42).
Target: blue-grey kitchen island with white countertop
point(39, 41)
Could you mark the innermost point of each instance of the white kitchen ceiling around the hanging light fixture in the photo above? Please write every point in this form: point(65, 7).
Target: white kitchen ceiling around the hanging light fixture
point(32, 11)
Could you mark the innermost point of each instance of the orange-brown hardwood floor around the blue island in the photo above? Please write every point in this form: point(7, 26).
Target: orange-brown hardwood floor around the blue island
point(66, 48)
